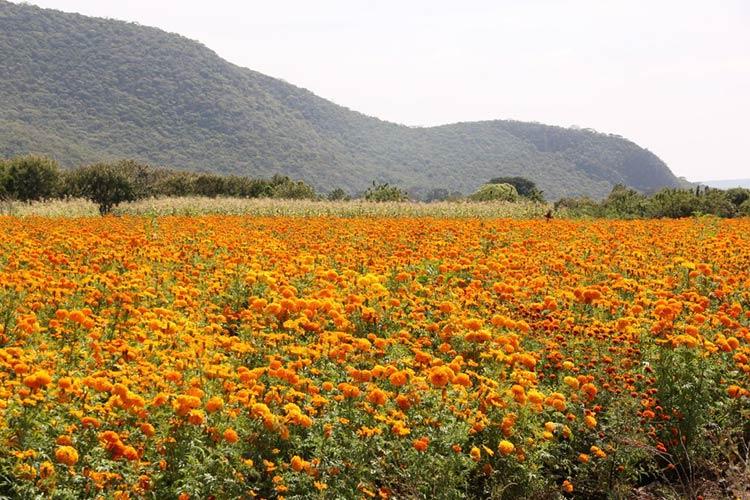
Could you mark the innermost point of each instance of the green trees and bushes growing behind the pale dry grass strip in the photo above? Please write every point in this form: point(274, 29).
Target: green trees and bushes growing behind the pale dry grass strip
point(32, 178)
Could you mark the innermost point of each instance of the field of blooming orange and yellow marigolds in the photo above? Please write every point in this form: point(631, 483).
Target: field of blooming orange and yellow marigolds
point(311, 357)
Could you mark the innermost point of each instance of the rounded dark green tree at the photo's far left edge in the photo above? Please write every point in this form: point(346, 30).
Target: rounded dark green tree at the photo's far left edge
point(30, 177)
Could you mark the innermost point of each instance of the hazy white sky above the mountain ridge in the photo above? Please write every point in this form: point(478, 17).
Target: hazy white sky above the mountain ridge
point(671, 75)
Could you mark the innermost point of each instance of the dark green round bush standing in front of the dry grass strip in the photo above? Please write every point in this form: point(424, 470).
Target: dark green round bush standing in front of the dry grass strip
point(104, 183)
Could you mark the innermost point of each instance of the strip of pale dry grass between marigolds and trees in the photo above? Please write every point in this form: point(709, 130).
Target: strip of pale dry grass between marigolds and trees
point(271, 207)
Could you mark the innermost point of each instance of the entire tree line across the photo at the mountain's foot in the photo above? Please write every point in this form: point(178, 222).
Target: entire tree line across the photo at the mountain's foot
point(32, 177)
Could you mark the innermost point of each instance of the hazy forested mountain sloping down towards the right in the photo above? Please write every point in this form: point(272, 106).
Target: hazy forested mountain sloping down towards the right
point(83, 89)
